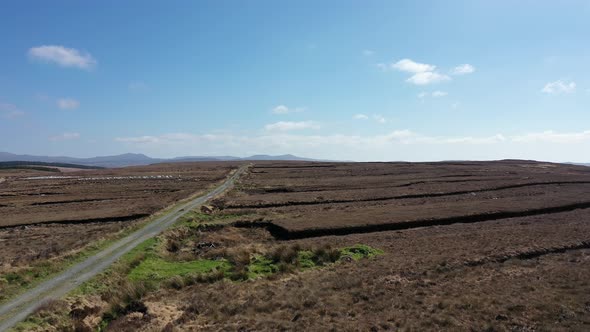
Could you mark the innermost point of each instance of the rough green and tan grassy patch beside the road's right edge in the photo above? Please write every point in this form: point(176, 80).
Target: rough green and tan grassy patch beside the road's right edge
point(200, 249)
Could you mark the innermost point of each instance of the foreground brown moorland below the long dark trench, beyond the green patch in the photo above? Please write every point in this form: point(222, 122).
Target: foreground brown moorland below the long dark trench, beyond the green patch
point(522, 274)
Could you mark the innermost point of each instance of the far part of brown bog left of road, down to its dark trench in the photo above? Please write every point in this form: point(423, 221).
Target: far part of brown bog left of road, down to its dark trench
point(96, 195)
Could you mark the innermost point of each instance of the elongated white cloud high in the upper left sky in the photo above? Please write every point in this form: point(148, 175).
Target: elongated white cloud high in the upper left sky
point(65, 57)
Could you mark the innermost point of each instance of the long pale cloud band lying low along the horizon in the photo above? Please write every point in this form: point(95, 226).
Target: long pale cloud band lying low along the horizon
point(403, 144)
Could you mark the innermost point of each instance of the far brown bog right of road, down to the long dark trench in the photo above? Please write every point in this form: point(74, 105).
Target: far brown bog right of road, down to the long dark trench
point(323, 199)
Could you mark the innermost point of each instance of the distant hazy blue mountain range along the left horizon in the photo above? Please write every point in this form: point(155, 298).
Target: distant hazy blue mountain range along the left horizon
point(135, 159)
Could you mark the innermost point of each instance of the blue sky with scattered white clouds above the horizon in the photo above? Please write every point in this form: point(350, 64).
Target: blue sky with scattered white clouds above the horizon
point(355, 80)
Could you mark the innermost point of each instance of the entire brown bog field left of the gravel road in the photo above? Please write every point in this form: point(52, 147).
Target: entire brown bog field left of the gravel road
point(44, 214)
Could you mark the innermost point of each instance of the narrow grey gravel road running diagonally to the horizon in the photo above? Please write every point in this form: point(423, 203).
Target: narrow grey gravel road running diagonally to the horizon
point(17, 309)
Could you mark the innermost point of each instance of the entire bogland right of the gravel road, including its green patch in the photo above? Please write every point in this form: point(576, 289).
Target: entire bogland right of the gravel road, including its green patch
point(461, 246)
